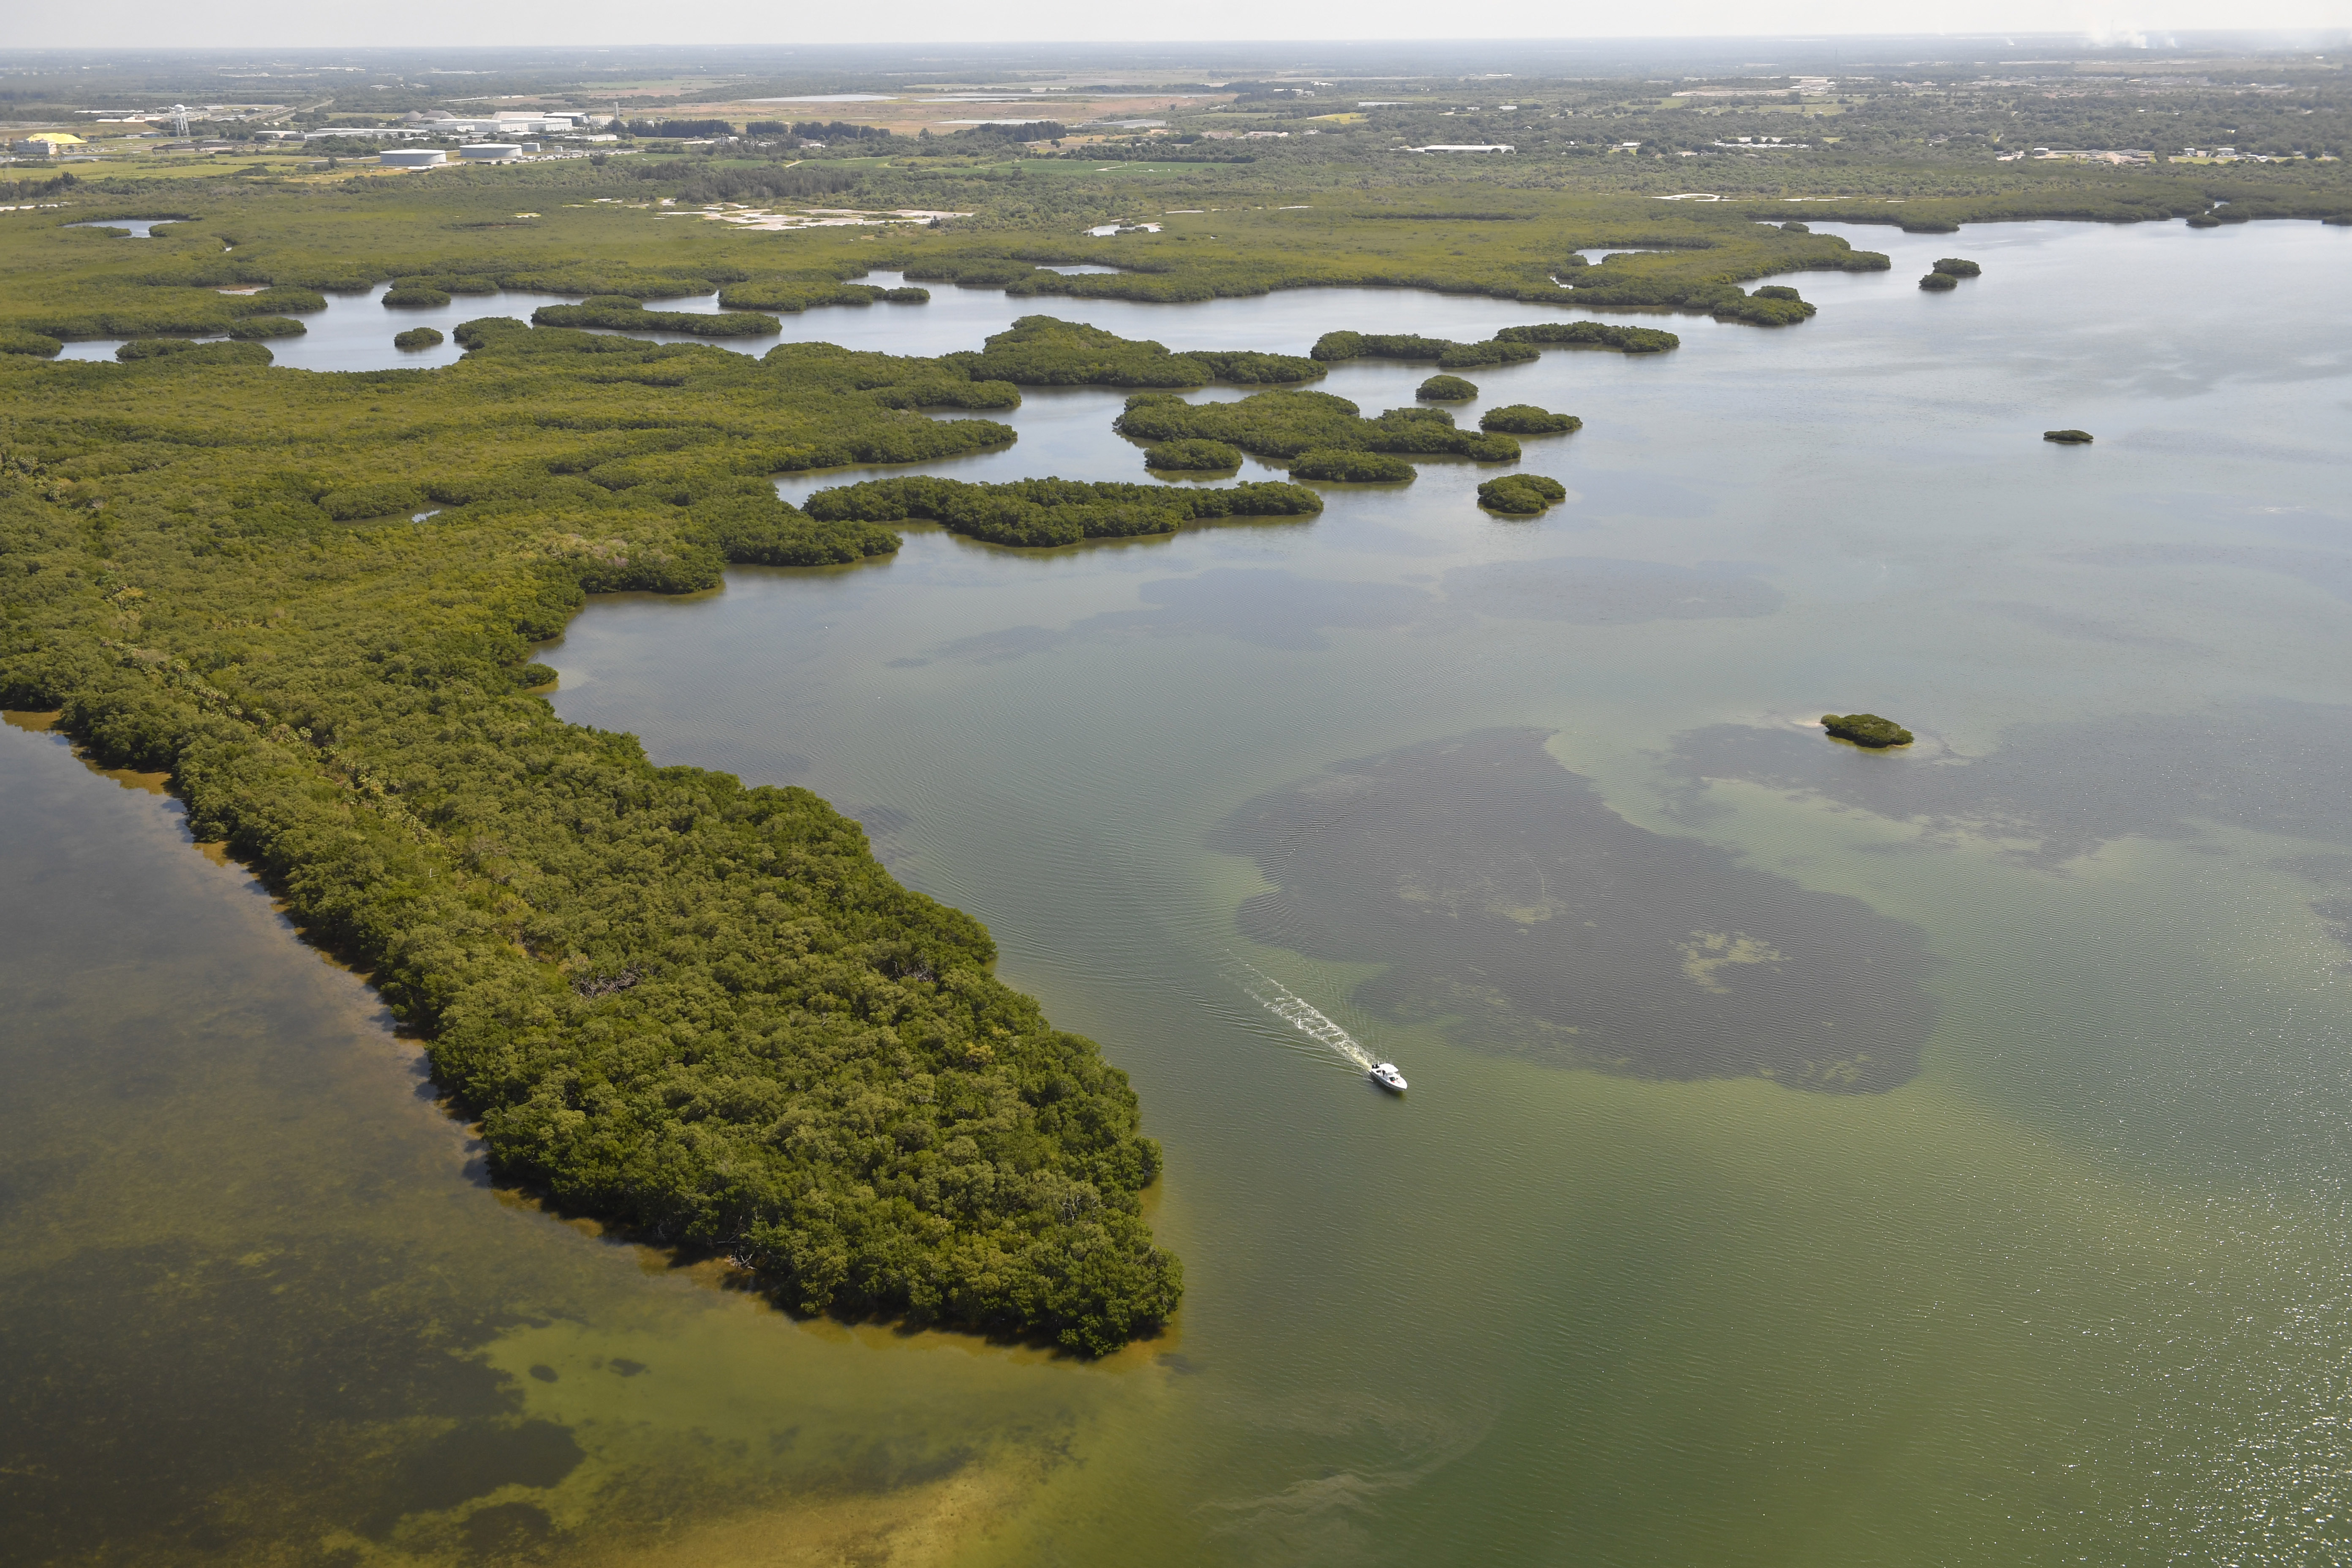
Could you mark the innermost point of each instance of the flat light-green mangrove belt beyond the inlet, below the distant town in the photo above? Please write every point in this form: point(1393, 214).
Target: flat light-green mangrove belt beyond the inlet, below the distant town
point(1412, 248)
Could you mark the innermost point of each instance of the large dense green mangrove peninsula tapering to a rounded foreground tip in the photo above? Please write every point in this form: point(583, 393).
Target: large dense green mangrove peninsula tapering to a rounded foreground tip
point(697, 1010)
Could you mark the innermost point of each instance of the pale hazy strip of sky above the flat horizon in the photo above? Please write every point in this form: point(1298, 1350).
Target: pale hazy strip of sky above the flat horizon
point(716, 22)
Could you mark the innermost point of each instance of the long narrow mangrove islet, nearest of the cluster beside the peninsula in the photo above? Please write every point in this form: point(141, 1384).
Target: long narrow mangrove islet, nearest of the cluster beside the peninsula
point(1048, 514)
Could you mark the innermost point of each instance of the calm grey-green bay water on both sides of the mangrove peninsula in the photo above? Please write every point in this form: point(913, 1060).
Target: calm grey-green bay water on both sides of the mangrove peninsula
point(1815, 1158)
